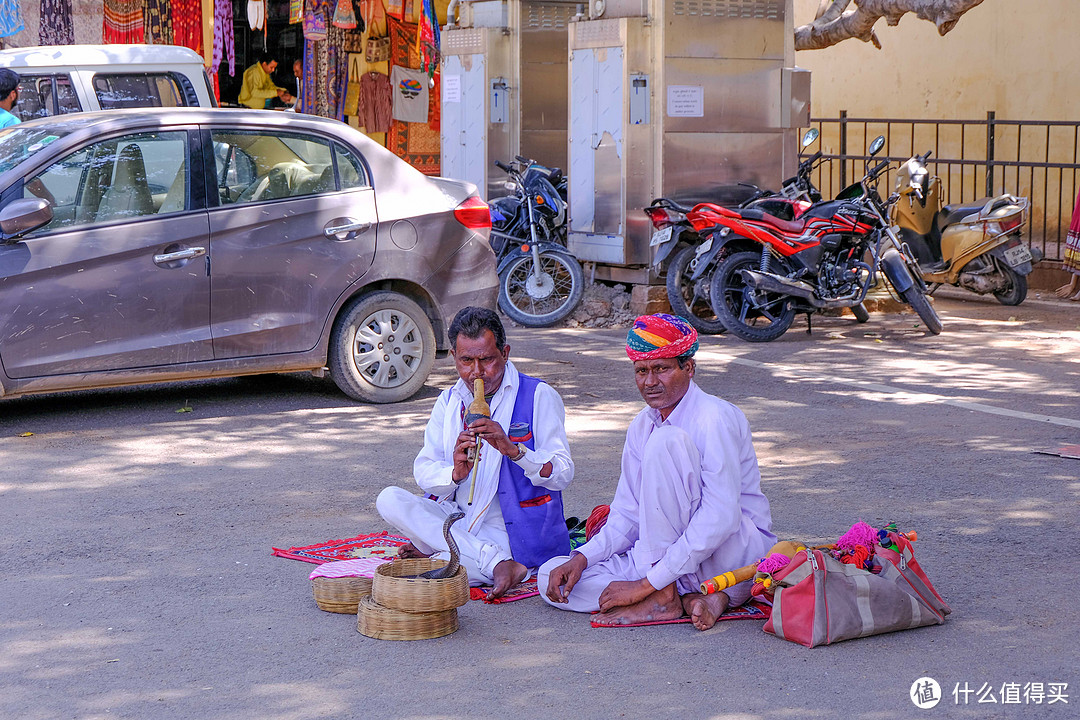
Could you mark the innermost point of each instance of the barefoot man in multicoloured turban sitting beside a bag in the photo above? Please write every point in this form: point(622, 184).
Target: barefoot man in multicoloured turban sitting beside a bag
point(688, 506)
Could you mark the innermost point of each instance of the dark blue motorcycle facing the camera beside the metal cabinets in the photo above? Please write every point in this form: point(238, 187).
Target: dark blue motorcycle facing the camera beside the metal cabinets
point(541, 281)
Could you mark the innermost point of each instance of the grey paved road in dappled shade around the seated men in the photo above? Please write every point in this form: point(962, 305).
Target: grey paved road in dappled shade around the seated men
point(139, 581)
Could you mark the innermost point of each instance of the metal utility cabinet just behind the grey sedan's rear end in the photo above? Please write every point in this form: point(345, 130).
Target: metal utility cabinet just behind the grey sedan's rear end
point(504, 89)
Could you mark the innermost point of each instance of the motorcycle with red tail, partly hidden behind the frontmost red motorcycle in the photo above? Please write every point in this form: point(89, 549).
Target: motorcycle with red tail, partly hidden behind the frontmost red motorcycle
point(690, 229)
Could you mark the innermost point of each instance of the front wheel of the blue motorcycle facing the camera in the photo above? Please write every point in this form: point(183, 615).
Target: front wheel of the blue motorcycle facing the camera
point(544, 300)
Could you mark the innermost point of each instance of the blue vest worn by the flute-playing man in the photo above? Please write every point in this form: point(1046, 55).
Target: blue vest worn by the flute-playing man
point(533, 515)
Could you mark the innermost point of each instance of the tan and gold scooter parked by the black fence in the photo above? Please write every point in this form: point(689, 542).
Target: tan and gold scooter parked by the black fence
point(977, 247)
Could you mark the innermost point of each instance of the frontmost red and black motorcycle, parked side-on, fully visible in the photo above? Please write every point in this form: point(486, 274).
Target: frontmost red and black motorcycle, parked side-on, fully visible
point(774, 269)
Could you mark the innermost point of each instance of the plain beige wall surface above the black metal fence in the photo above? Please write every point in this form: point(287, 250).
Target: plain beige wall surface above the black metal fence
point(1018, 59)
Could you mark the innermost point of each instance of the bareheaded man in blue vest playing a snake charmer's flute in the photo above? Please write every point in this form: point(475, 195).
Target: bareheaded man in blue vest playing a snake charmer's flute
point(516, 520)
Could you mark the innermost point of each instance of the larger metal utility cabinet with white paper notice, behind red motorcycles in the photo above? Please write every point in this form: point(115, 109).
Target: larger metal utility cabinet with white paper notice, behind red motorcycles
point(674, 99)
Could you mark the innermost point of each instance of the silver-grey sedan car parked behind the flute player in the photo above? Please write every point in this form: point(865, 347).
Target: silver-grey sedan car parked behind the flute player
point(169, 244)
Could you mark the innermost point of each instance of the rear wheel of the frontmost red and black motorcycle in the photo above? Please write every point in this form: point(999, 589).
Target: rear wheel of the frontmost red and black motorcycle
point(753, 316)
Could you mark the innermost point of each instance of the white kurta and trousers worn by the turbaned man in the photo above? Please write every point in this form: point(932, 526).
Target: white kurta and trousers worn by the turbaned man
point(687, 508)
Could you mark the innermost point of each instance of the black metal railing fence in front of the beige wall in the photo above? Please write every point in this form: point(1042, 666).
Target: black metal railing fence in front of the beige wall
point(974, 158)
